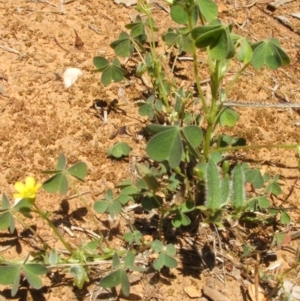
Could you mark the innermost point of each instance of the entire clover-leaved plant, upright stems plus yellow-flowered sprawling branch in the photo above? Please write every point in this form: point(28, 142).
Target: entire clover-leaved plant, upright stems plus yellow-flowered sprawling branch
point(188, 178)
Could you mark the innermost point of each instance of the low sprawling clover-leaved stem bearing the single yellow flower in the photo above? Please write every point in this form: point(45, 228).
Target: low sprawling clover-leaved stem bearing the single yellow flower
point(77, 260)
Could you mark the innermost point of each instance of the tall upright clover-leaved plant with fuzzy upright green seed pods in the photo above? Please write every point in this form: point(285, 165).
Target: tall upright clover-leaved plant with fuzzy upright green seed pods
point(189, 172)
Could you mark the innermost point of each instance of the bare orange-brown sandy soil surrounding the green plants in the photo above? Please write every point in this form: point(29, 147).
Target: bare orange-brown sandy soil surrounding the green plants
point(40, 119)
